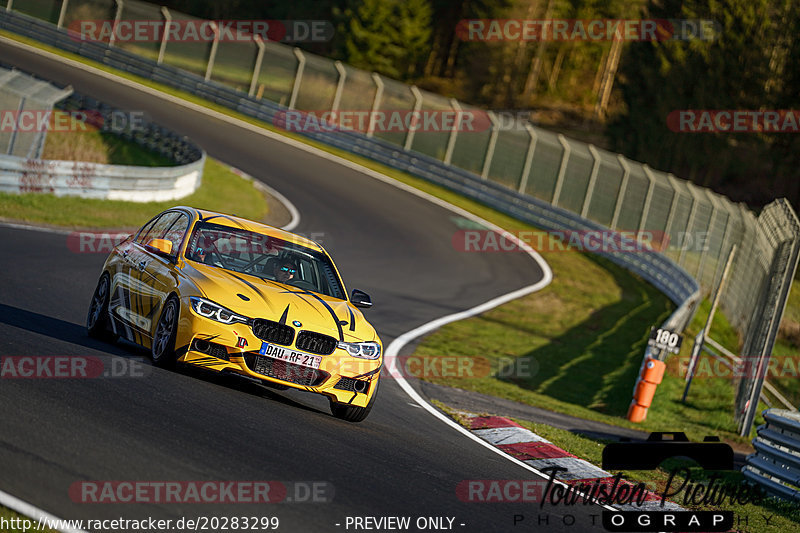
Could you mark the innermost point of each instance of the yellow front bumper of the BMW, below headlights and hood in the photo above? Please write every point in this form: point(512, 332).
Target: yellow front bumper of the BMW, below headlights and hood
point(235, 349)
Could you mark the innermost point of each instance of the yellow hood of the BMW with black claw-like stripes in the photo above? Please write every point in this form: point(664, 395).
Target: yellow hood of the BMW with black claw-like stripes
point(258, 298)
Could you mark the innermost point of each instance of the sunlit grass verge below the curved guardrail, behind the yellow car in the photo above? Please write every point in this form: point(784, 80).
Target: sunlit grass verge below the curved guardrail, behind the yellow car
point(221, 190)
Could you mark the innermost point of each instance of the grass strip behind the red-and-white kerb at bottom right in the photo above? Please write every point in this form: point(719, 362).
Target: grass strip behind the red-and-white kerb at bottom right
point(770, 514)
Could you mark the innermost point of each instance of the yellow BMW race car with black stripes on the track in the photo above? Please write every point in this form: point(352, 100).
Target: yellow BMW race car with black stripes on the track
point(236, 296)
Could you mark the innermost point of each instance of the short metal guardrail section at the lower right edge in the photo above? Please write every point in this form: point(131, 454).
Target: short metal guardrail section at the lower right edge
point(775, 465)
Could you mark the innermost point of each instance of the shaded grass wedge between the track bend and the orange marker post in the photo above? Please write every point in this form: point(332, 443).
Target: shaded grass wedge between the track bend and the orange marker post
point(595, 363)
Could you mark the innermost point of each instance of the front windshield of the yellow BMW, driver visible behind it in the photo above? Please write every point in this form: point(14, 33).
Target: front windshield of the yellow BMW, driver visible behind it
point(266, 257)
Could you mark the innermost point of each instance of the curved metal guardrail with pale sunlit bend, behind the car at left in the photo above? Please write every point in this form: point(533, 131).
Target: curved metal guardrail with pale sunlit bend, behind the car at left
point(110, 182)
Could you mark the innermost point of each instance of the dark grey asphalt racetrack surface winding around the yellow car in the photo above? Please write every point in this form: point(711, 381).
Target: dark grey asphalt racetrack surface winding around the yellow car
point(186, 425)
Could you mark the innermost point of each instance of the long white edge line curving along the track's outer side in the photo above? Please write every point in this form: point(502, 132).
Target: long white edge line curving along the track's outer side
point(396, 345)
